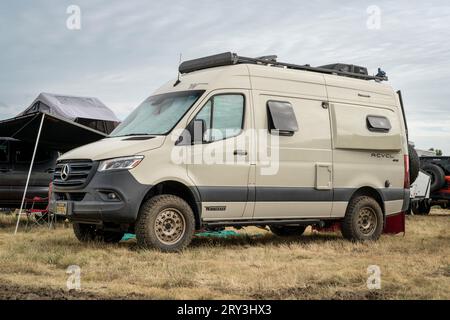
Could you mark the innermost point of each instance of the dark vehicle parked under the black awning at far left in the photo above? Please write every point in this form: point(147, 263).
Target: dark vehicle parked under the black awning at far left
point(15, 158)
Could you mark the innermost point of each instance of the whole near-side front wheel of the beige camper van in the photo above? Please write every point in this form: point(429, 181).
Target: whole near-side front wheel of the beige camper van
point(165, 222)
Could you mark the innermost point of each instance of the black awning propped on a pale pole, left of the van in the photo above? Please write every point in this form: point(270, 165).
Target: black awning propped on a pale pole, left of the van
point(57, 133)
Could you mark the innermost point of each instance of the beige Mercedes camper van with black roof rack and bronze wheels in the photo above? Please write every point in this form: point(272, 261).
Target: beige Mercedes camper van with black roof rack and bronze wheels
point(236, 142)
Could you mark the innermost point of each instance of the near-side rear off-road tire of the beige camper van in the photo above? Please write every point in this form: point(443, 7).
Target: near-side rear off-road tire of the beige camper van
point(353, 222)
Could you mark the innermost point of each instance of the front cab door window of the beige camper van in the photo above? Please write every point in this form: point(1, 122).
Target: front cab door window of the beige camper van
point(223, 115)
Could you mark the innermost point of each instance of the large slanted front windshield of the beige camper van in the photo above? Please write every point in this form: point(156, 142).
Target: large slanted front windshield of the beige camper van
point(158, 114)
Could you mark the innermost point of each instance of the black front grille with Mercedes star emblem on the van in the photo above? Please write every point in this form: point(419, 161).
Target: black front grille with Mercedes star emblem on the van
point(72, 173)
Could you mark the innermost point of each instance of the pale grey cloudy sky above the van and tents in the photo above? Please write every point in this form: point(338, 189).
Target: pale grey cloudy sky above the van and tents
point(126, 49)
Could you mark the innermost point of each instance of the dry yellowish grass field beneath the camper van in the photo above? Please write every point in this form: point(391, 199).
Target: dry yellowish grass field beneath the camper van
point(256, 265)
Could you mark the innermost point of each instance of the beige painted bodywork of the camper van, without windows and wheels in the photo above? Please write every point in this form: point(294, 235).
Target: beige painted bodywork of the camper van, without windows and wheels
point(330, 157)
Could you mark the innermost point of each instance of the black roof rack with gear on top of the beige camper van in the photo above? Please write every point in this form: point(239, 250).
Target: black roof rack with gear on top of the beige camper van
point(229, 58)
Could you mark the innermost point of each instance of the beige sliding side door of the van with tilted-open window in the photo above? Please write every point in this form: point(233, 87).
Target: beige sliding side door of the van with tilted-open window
point(294, 171)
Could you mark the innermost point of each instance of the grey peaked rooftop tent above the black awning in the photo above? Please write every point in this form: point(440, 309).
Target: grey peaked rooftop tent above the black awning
point(88, 111)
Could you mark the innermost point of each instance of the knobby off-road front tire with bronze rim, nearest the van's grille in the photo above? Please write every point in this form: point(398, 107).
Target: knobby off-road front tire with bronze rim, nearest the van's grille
point(148, 234)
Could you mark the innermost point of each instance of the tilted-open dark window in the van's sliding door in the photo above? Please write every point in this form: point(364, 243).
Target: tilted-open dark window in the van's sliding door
point(281, 117)
